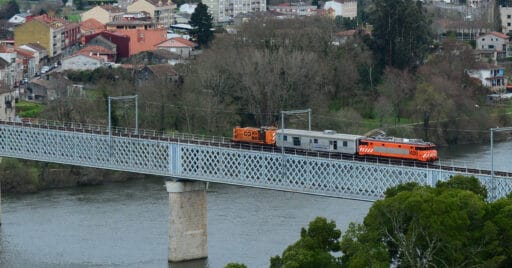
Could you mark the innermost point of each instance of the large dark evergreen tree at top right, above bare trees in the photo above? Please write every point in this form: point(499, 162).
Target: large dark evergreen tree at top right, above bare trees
point(401, 35)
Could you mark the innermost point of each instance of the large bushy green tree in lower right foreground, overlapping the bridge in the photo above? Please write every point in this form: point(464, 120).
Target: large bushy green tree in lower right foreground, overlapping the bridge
point(420, 226)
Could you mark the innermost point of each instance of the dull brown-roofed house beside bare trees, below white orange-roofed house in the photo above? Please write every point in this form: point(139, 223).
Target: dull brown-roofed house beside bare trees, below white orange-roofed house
point(160, 72)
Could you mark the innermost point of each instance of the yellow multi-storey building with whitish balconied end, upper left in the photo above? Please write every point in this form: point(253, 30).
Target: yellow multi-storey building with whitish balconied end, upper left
point(54, 34)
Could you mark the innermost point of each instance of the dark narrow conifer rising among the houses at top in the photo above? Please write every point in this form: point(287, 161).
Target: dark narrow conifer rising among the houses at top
point(201, 21)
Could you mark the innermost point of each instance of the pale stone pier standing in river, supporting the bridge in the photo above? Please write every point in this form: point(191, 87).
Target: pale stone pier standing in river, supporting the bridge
point(187, 220)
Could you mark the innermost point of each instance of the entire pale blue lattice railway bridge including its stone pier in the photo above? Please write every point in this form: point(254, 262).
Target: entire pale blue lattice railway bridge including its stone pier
point(190, 161)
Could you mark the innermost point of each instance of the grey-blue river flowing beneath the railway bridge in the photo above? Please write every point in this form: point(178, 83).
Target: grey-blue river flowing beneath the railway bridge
point(126, 224)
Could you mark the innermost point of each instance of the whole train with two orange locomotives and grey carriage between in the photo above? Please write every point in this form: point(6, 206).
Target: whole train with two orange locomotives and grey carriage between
point(333, 142)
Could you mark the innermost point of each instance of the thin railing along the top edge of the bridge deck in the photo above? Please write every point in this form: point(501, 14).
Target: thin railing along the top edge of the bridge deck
point(225, 142)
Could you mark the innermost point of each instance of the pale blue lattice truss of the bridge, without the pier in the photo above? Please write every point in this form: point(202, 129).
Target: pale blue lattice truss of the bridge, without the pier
point(210, 162)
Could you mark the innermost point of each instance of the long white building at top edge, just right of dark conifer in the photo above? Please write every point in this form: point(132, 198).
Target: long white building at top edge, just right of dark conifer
point(226, 10)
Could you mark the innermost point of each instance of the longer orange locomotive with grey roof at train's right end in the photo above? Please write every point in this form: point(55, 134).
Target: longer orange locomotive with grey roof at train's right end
point(398, 148)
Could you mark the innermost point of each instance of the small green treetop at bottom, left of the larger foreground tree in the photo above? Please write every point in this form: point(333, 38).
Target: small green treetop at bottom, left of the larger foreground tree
point(314, 247)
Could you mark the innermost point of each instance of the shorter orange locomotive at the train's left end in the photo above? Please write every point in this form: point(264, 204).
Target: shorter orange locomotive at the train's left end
point(263, 135)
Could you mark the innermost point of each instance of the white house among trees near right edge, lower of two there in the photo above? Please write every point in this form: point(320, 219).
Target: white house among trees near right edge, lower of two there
point(491, 76)
